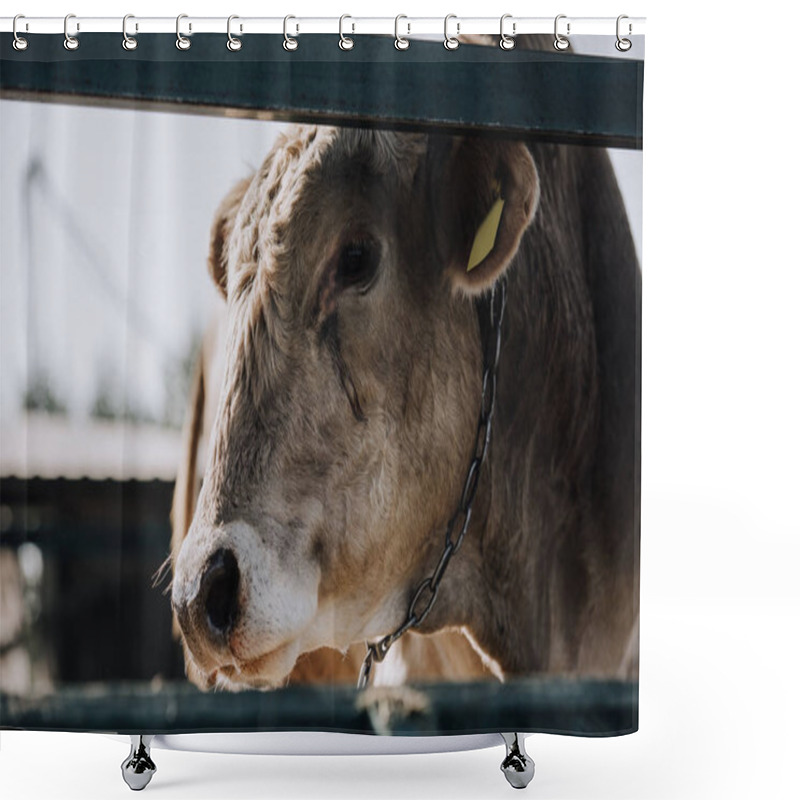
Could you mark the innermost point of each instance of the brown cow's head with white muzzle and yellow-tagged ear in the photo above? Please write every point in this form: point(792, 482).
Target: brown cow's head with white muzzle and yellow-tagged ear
point(351, 389)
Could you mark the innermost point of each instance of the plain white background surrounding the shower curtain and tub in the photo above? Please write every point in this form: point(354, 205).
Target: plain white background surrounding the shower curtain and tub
point(720, 704)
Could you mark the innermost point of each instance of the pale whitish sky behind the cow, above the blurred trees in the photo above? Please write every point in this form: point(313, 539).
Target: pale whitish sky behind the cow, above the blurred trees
point(106, 282)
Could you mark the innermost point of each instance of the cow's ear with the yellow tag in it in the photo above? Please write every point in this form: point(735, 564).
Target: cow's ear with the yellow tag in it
point(486, 195)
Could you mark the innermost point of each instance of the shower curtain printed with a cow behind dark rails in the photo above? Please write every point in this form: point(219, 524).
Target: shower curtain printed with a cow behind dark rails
point(320, 385)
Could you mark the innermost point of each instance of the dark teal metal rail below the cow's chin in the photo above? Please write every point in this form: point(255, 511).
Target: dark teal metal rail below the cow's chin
point(589, 708)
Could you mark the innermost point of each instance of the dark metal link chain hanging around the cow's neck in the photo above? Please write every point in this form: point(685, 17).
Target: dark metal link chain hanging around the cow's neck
point(427, 592)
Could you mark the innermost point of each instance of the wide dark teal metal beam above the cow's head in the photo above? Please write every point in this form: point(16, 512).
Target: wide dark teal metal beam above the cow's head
point(527, 94)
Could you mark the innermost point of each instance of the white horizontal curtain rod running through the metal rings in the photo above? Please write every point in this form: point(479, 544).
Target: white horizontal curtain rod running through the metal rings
point(408, 26)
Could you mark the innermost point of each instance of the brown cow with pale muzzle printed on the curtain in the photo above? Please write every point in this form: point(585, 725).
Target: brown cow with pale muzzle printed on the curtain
point(352, 389)
